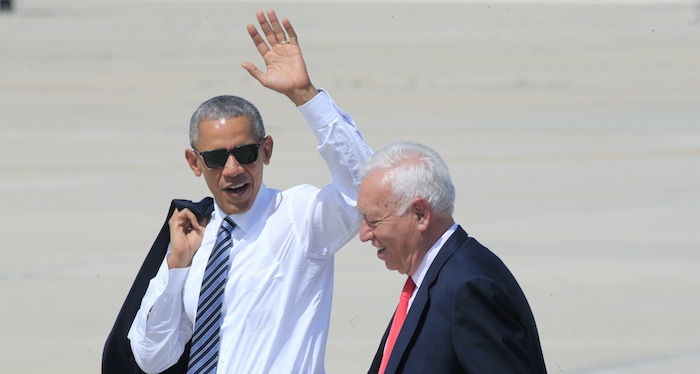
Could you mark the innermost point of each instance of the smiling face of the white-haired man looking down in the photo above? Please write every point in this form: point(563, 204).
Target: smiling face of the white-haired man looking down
point(399, 239)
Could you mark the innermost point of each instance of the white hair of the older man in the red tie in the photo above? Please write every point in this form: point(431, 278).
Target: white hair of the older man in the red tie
point(414, 170)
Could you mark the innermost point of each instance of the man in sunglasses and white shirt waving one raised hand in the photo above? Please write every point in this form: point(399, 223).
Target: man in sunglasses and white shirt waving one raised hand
point(277, 286)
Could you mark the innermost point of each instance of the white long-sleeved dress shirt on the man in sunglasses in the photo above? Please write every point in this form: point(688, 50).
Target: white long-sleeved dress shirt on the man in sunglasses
point(277, 300)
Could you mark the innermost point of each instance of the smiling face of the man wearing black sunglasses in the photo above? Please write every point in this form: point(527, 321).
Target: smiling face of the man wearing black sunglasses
point(234, 186)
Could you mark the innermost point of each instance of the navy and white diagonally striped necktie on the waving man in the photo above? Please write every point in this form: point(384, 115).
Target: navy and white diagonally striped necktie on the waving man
point(204, 353)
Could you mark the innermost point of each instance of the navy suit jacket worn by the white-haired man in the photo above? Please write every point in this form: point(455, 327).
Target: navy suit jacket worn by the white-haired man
point(469, 316)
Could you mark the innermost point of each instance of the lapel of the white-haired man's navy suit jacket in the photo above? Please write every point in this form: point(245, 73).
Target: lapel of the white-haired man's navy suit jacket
point(415, 314)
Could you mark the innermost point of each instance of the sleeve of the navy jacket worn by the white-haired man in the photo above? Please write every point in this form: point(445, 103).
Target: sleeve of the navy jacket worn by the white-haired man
point(487, 332)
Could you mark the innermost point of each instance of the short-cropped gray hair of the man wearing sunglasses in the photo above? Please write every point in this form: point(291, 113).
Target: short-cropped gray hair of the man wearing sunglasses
point(223, 108)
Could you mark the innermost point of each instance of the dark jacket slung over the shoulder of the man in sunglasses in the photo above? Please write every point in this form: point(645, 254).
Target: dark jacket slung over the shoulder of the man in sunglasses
point(117, 357)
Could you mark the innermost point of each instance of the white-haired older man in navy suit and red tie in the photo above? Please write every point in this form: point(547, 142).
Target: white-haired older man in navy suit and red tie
point(461, 310)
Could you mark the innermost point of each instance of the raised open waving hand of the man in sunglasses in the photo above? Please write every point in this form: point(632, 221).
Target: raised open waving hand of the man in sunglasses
point(279, 48)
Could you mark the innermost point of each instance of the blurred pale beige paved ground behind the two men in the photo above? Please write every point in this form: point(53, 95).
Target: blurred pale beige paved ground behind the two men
point(572, 131)
